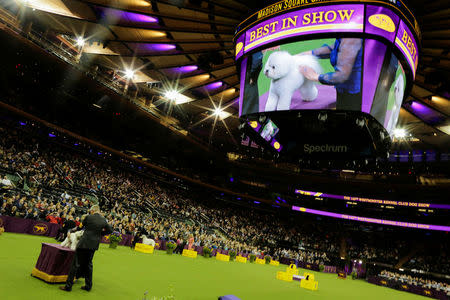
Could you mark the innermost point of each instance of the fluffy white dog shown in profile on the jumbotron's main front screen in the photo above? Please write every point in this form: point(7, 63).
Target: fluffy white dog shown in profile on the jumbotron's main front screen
point(283, 69)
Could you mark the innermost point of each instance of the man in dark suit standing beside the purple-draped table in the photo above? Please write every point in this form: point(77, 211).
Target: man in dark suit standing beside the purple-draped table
point(94, 227)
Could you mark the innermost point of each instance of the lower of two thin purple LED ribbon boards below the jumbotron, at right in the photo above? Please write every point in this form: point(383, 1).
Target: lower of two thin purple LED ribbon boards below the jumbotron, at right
point(371, 220)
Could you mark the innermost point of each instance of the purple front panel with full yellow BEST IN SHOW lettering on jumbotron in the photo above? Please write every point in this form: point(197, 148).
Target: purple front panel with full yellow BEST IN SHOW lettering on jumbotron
point(322, 19)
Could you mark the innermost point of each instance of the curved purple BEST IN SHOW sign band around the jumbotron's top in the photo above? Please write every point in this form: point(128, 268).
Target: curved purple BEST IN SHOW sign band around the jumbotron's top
point(318, 17)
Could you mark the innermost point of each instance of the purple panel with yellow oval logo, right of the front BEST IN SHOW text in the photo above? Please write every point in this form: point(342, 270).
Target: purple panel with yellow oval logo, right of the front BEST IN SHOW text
point(381, 21)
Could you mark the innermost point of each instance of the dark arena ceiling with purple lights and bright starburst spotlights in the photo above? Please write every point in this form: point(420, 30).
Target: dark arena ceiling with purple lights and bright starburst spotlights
point(187, 46)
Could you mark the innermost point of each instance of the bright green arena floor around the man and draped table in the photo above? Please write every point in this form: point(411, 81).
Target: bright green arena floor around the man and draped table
point(126, 274)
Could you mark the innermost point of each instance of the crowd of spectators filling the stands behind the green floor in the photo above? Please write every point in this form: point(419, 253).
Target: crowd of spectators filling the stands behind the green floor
point(137, 204)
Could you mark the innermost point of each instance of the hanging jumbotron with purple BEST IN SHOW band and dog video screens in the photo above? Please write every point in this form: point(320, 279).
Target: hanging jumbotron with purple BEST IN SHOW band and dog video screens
point(313, 55)
